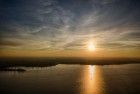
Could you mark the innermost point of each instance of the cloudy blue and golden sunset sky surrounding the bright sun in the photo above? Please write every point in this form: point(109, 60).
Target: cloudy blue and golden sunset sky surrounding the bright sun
point(65, 27)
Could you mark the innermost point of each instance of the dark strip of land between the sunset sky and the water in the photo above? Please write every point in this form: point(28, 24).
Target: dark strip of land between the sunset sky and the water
point(5, 63)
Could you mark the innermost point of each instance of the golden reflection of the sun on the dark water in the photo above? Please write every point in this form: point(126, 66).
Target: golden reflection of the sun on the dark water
point(92, 81)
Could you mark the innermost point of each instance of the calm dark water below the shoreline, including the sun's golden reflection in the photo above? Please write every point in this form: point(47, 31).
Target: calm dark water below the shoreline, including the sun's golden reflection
point(73, 79)
